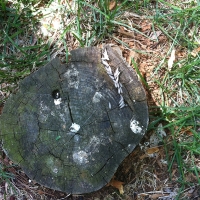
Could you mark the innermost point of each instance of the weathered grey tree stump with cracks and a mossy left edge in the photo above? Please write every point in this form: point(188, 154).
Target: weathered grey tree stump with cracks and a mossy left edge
point(64, 126)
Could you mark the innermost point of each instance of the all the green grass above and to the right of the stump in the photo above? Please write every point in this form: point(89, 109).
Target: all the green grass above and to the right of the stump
point(28, 42)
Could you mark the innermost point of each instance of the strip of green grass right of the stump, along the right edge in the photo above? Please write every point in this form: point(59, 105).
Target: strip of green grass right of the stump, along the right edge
point(180, 86)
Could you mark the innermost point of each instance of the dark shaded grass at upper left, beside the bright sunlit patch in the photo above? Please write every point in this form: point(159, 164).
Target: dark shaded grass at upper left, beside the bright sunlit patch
point(21, 53)
